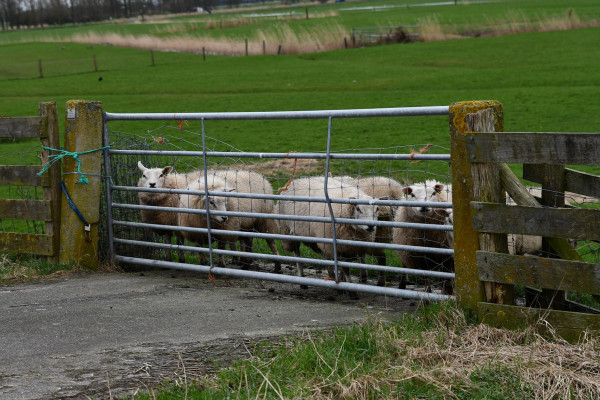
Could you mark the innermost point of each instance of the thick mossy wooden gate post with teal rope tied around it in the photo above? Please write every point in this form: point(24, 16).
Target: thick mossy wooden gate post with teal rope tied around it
point(83, 132)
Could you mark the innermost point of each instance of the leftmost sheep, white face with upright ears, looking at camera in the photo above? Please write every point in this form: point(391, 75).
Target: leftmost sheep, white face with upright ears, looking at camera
point(161, 178)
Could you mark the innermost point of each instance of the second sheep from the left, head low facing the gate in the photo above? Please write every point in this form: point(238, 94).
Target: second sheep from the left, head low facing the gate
point(215, 203)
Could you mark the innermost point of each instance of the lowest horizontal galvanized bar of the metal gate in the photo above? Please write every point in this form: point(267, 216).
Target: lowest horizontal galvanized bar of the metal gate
point(354, 287)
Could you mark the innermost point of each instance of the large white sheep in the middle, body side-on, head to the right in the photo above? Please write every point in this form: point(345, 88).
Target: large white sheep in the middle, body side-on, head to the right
point(315, 187)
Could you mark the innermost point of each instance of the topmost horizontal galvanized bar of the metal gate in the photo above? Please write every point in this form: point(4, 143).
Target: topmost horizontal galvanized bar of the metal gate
point(318, 114)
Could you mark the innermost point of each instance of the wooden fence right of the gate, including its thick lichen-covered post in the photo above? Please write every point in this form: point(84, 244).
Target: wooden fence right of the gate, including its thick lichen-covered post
point(485, 272)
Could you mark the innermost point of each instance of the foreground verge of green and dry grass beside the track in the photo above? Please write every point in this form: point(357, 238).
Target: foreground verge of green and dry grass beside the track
point(436, 353)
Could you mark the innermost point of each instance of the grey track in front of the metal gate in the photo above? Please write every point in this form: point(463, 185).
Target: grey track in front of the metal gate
point(111, 334)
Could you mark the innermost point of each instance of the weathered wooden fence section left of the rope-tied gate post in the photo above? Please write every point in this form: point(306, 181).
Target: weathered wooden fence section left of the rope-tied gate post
point(45, 128)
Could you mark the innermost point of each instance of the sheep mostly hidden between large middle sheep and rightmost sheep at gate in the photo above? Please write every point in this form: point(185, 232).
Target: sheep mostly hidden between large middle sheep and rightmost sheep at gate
point(382, 188)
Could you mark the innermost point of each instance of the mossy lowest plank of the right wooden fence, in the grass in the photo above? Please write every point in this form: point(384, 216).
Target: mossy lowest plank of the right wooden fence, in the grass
point(569, 325)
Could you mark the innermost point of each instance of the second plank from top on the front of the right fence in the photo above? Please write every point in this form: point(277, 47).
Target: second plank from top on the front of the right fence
point(572, 223)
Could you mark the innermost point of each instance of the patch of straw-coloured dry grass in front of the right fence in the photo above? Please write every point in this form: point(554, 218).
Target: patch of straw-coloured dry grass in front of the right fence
point(448, 356)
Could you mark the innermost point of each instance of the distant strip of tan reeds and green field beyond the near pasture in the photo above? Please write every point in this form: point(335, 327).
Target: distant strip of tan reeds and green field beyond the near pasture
point(328, 26)
